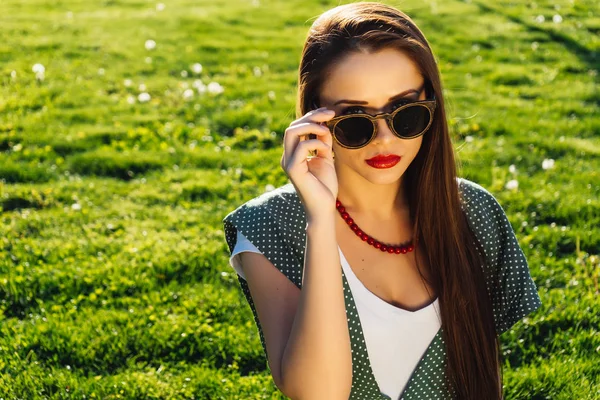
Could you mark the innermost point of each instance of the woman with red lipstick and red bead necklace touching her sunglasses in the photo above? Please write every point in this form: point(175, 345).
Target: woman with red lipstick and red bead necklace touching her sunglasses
point(431, 271)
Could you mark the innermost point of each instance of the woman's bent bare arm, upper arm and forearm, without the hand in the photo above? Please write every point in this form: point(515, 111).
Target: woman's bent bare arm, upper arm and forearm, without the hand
point(306, 331)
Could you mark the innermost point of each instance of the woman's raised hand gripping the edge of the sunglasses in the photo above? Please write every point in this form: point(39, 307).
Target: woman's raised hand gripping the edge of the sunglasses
point(314, 178)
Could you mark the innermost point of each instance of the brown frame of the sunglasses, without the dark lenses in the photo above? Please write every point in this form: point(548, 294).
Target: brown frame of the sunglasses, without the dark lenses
point(389, 117)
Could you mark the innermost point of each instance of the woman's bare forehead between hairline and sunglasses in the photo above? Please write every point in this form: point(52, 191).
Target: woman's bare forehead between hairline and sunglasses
point(372, 77)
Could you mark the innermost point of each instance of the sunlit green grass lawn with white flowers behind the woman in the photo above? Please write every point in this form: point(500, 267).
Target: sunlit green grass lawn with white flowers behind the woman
point(114, 275)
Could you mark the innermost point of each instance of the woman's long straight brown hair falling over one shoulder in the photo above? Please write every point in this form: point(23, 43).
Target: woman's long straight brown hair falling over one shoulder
point(454, 257)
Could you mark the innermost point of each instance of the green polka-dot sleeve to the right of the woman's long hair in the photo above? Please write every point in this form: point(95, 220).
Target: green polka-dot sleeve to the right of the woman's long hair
point(512, 289)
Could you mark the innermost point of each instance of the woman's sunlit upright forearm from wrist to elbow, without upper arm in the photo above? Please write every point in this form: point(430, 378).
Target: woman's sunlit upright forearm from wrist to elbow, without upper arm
point(317, 362)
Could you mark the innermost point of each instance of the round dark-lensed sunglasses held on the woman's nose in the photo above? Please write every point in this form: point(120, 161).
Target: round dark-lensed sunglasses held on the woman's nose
point(408, 121)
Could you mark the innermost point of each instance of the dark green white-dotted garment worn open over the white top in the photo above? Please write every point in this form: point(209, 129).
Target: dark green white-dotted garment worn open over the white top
point(275, 223)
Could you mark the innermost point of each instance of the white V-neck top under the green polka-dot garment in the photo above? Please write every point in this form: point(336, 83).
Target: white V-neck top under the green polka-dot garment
point(396, 338)
